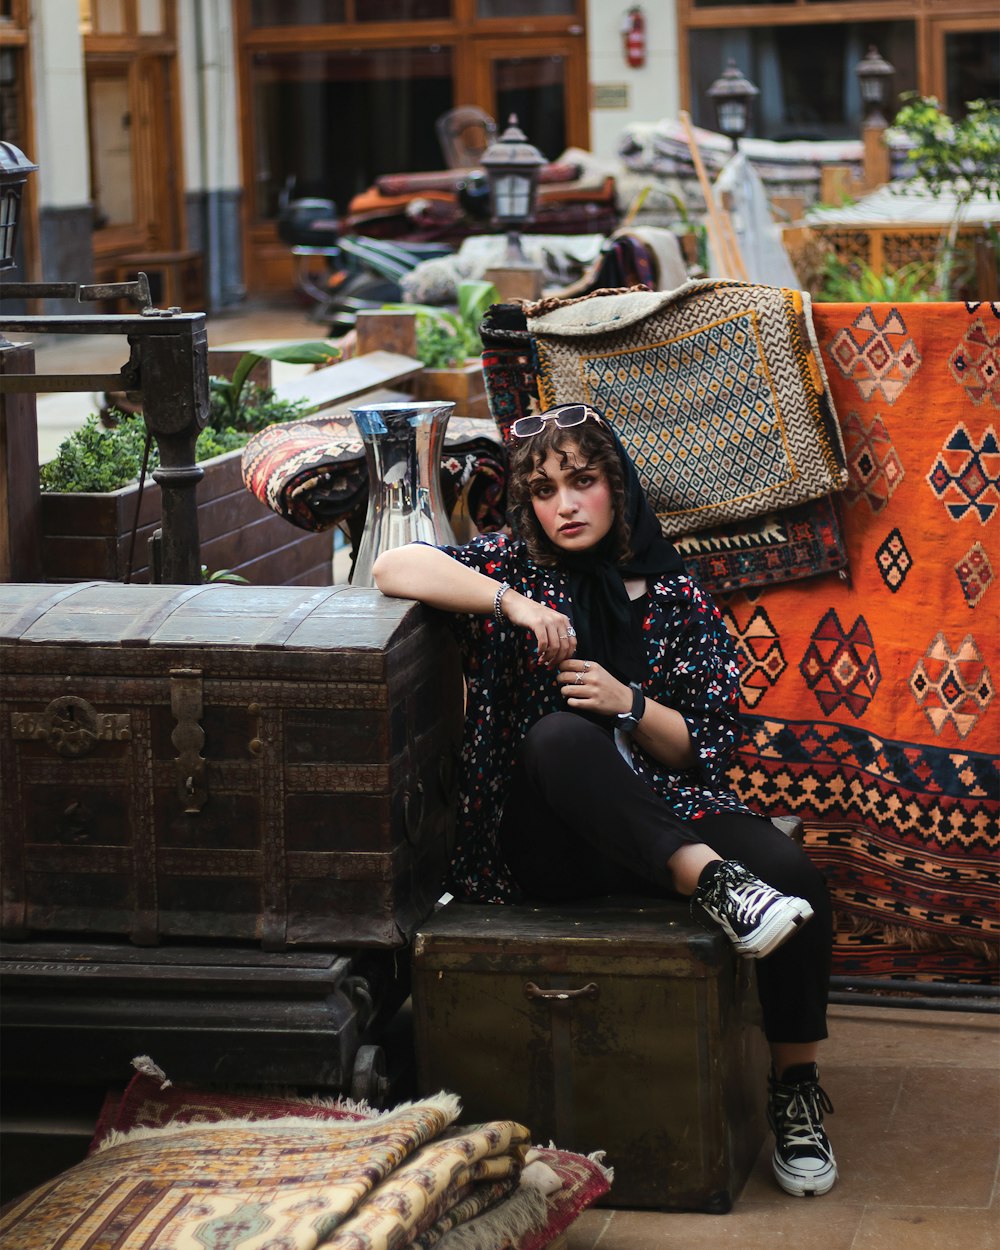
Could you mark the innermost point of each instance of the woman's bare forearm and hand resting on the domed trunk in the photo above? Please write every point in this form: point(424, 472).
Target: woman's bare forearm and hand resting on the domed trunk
point(434, 578)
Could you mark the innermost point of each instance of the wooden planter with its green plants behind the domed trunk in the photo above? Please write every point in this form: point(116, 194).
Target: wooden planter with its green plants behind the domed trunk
point(101, 509)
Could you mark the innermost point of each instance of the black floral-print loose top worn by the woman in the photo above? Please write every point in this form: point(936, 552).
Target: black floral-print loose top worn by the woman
point(691, 667)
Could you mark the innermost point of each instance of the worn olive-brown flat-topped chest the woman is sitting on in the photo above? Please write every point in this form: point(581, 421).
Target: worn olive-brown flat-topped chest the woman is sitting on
point(612, 1026)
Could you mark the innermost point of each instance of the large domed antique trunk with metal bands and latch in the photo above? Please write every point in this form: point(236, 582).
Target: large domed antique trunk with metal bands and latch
point(224, 762)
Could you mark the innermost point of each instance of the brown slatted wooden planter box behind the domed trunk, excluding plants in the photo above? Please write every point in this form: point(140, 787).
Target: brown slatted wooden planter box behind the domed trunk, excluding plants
point(87, 537)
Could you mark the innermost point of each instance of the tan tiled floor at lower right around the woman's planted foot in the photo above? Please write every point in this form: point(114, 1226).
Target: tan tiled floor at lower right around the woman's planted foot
point(917, 1134)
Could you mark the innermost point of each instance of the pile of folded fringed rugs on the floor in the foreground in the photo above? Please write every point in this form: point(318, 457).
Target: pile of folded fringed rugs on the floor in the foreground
point(174, 1168)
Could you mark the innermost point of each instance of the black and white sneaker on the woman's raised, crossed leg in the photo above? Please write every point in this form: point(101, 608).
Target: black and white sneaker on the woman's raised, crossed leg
point(756, 918)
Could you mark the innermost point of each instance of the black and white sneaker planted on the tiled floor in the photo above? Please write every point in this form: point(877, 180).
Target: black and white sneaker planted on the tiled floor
point(803, 1159)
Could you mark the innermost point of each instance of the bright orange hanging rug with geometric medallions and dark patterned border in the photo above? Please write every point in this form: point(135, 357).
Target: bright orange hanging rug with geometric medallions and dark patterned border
point(871, 702)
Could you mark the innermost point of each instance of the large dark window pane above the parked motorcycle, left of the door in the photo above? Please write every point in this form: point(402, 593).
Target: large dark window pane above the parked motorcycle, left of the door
point(387, 101)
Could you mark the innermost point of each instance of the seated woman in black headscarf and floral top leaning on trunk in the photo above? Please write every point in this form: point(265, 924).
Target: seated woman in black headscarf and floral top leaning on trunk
point(601, 719)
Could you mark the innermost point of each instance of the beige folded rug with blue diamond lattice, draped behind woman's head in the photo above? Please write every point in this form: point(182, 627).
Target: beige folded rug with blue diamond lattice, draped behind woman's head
point(716, 391)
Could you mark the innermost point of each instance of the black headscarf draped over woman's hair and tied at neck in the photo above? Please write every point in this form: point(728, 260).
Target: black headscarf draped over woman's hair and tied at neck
point(607, 629)
